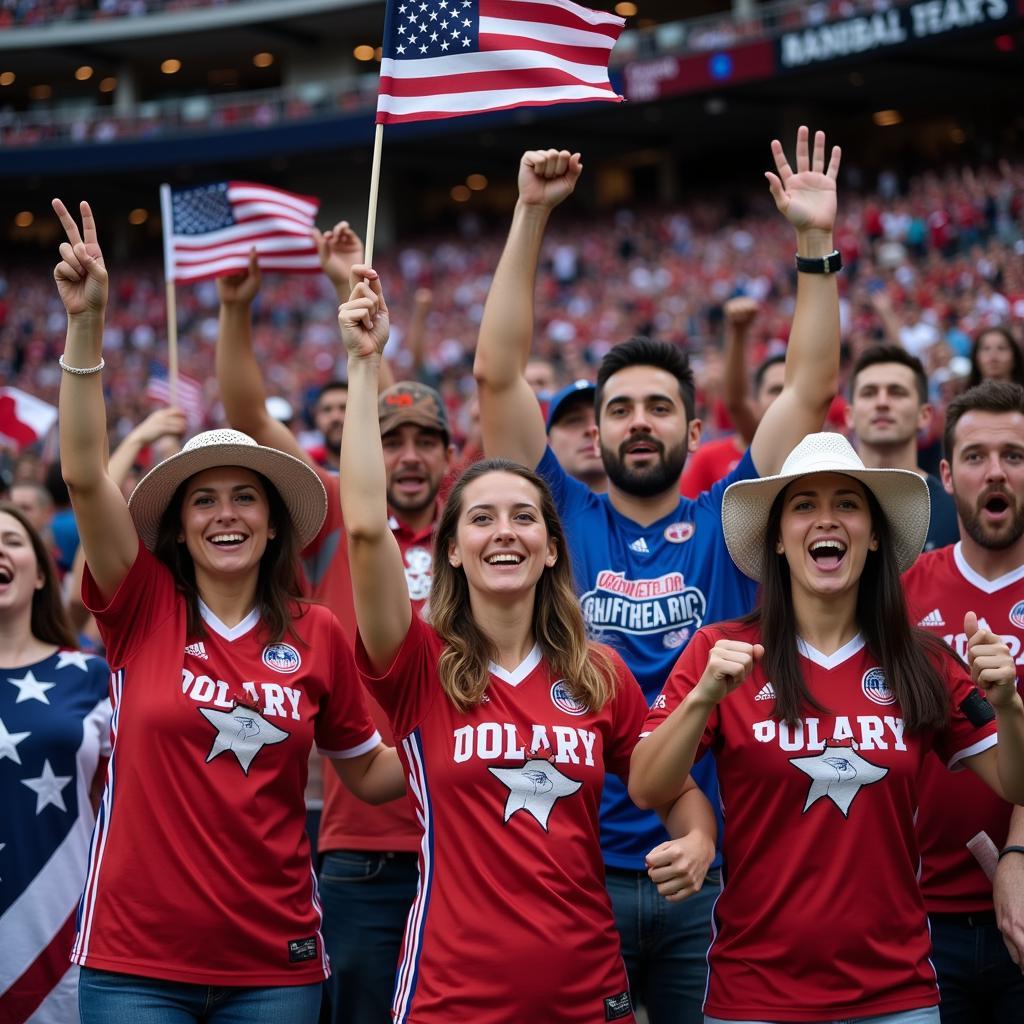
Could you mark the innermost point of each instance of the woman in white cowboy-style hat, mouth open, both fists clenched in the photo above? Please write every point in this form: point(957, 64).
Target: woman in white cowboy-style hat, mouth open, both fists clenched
point(820, 708)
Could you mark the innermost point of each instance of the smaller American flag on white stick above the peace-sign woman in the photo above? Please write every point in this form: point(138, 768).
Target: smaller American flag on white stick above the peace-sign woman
point(209, 231)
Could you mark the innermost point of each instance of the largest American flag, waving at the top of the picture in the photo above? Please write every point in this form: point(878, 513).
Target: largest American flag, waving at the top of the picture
point(445, 59)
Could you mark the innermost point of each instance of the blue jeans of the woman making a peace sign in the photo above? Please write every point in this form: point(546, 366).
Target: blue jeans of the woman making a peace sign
point(105, 997)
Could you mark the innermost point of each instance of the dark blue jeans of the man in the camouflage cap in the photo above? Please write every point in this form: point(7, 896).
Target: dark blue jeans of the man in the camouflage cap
point(366, 899)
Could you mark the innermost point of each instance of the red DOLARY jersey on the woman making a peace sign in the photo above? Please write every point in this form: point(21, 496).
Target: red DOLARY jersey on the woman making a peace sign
point(200, 867)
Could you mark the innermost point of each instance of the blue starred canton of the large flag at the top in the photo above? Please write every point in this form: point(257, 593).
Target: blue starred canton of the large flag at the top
point(418, 29)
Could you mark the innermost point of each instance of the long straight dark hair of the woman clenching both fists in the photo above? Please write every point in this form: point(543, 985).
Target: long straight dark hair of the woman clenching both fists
point(910, 657)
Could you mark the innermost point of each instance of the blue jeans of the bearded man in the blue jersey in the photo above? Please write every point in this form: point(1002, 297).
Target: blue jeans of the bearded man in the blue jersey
point(665, 946)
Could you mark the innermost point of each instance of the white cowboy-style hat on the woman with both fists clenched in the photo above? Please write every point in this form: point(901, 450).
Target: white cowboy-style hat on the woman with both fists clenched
point(903, 495)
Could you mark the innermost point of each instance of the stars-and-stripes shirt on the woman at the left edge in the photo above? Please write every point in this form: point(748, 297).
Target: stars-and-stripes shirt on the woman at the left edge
point(55, 730)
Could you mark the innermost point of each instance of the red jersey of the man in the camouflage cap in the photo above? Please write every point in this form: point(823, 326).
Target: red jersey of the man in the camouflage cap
point(349, 824)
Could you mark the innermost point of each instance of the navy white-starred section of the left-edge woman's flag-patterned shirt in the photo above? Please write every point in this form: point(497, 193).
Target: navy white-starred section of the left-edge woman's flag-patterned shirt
point(45, 711)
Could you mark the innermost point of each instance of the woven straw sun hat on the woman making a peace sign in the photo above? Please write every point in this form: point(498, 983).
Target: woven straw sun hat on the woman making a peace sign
point(300, 487)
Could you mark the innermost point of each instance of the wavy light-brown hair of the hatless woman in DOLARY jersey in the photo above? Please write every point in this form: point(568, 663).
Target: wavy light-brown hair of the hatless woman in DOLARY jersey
point(559, 627)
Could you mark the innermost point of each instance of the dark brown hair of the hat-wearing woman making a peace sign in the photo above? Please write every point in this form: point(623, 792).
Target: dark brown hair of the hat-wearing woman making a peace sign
point(279, 593)
